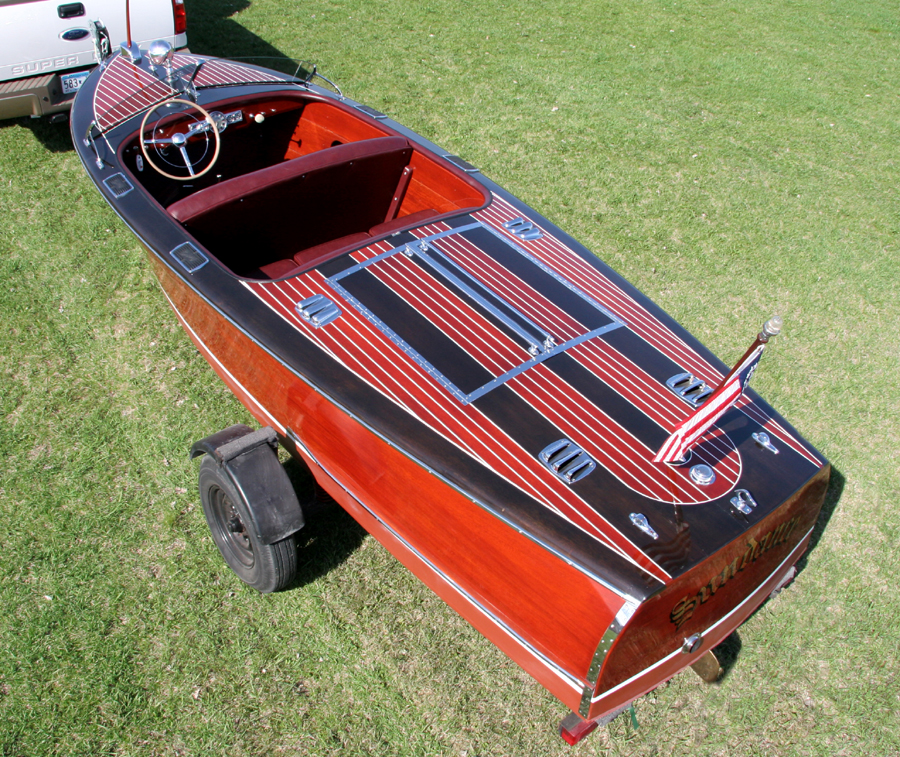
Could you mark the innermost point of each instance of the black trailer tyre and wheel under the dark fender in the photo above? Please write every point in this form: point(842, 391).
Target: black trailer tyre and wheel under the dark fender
point(265, 567)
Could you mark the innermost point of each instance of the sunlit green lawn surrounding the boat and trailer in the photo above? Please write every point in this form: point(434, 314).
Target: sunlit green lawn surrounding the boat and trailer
point(732, 160)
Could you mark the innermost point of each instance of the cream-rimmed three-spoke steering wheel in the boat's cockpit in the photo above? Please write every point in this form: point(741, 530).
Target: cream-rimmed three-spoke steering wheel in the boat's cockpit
point(180, 139)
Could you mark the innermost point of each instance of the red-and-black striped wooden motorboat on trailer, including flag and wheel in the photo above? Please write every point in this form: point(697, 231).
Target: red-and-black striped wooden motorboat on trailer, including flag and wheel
point(476, 388)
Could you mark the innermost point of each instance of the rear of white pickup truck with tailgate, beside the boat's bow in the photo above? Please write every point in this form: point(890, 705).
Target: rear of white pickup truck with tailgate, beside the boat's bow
point(49, 48)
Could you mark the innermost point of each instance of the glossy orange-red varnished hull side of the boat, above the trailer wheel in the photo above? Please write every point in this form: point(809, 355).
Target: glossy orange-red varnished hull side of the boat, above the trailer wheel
point(514, 578)
